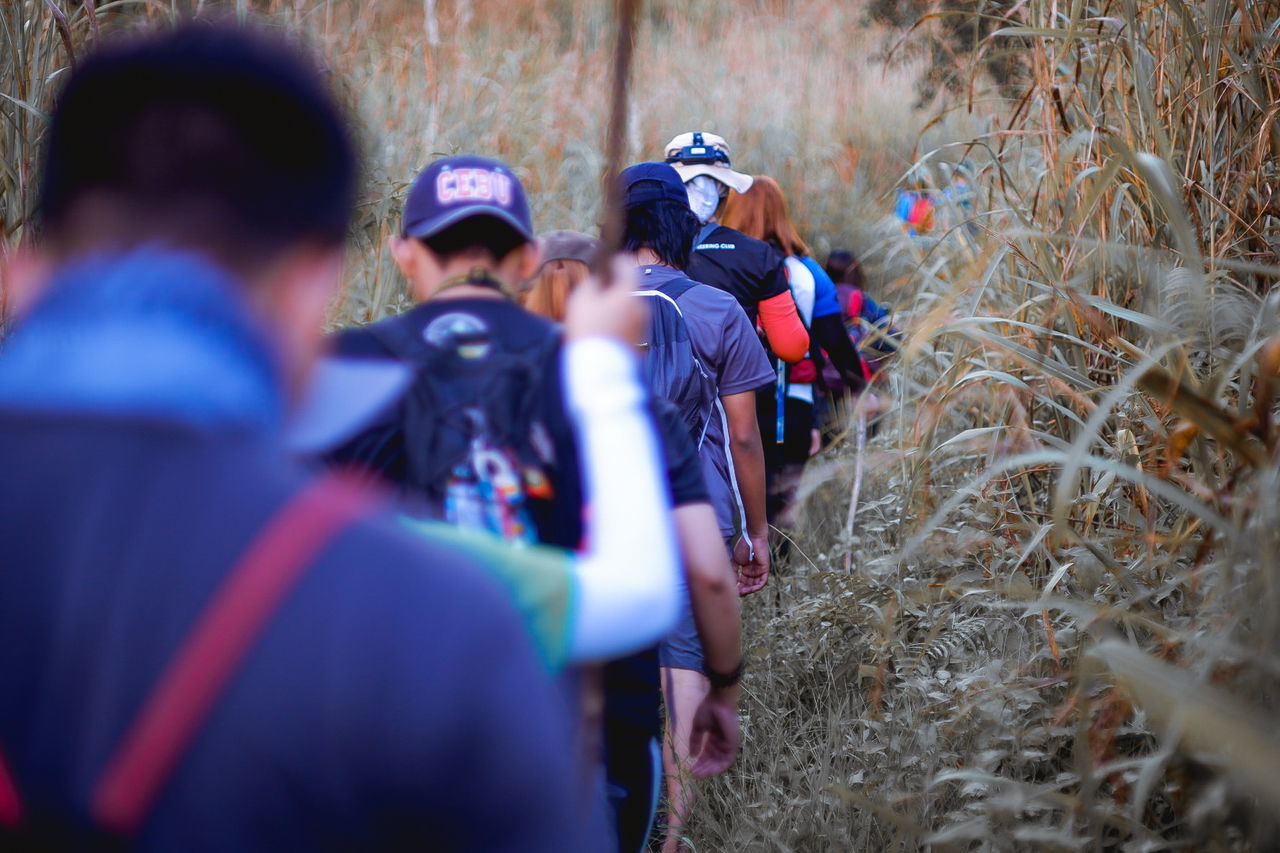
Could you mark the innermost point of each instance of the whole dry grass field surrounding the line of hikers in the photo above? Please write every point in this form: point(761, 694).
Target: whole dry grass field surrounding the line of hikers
point(1062, 619)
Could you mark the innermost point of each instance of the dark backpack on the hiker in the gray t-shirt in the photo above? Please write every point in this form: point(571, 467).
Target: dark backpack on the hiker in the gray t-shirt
point(673, 366)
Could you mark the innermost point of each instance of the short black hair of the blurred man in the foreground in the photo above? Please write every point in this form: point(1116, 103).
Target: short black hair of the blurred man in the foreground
point(213, 138)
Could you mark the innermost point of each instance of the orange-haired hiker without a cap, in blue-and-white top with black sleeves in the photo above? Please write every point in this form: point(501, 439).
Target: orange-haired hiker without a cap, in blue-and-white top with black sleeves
point(762, 212)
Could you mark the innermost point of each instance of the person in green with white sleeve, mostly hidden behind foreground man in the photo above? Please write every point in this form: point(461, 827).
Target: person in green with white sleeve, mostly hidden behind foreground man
point(612, 597)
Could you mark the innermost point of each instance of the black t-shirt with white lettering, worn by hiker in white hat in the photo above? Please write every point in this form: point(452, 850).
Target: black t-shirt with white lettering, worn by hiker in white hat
point(749, 270)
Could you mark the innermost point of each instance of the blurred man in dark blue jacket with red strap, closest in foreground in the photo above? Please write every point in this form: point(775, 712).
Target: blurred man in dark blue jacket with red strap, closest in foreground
point(212, 649)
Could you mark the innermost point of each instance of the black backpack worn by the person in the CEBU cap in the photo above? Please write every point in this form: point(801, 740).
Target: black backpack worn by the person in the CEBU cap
point(476, 445)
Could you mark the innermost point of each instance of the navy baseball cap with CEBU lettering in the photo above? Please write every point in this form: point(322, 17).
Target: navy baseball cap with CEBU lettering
point(456, 189)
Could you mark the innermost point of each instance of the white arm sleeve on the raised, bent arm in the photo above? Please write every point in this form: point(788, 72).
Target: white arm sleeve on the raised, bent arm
point(629, 577)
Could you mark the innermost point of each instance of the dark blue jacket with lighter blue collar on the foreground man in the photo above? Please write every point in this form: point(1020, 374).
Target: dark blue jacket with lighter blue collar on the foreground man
point(394, 699)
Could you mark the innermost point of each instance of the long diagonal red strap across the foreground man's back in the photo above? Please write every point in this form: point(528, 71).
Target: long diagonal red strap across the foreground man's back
point(212, 653)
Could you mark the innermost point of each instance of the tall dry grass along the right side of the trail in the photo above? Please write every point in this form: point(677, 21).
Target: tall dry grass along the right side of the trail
point(1062, 632)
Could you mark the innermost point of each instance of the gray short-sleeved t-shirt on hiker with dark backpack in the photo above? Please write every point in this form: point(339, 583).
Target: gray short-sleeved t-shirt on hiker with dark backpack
point(733, 353)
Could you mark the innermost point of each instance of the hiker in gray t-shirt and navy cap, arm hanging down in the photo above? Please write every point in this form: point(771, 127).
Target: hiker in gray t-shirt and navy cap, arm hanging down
point(697, 681)
